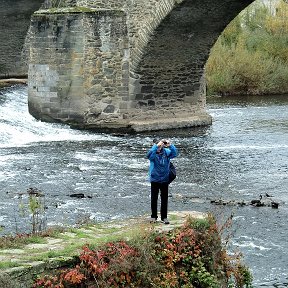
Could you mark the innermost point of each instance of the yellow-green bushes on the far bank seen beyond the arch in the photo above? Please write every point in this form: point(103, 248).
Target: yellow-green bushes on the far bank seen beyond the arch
point(251, 55)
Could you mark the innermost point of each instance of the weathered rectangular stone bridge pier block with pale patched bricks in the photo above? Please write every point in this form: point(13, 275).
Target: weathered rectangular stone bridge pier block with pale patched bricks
point(76, 66)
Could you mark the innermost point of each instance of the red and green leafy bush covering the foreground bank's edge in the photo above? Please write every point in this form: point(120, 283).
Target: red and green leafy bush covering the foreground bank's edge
point(192, 255)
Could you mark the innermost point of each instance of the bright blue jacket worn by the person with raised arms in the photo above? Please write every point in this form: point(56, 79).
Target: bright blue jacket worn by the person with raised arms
point(159, 163)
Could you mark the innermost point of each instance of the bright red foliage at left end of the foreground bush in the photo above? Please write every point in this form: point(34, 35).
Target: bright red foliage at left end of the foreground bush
point(94, 264)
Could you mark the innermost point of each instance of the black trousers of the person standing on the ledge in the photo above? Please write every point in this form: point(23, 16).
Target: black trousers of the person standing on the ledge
point(155, 188)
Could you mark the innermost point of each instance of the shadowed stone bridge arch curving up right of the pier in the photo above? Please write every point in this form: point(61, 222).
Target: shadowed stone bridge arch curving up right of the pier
point(168, 59)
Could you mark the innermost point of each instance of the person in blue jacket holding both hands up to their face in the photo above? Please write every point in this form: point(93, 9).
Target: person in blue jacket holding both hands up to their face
point(159, 155)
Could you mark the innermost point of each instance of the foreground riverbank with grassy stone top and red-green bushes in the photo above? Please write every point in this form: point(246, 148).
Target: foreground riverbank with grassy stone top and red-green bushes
point(63, 250)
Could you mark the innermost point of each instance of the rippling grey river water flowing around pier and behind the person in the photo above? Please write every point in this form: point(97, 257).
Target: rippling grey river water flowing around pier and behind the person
point(242, 155)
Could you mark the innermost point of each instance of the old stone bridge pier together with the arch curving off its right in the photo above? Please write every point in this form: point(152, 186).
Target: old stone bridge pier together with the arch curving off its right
point(128, 65)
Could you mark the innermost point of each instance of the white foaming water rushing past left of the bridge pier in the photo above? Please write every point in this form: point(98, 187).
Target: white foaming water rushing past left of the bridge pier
point(19, 128)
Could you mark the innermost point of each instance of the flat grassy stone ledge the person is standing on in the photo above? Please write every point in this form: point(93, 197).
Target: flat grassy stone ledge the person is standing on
point(34, 259)
